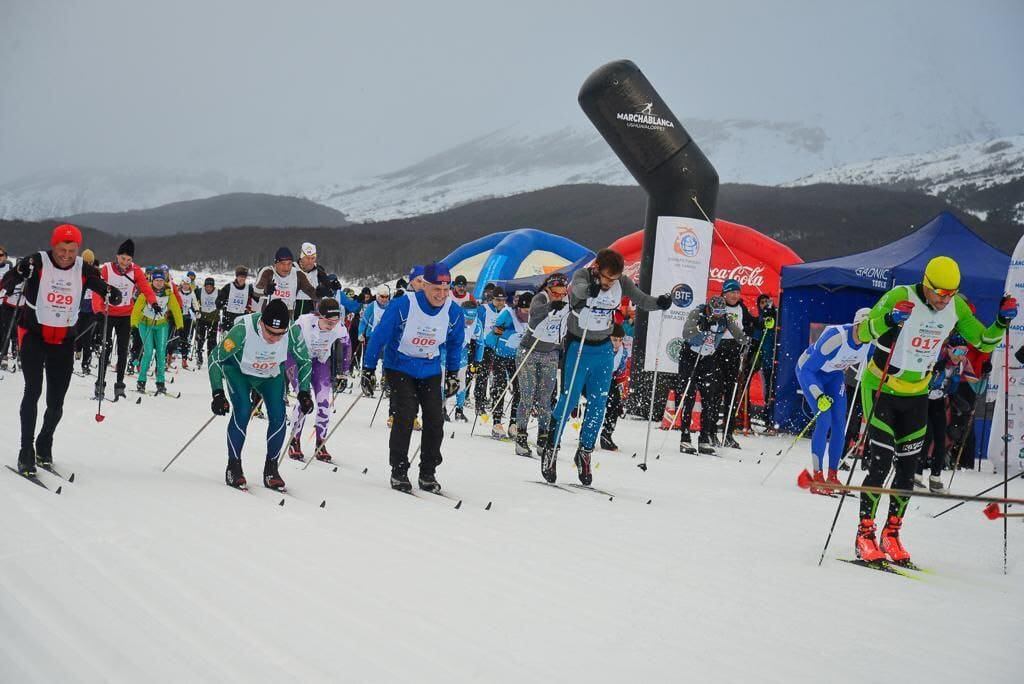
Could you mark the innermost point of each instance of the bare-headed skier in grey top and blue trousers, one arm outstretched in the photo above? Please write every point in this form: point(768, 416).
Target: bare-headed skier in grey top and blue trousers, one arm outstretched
point(595, 293)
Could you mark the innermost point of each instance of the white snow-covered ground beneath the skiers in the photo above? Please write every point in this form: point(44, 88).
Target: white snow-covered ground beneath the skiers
point(133, 574)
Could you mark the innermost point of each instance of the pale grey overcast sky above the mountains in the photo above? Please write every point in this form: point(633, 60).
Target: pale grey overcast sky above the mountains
point(359, 89)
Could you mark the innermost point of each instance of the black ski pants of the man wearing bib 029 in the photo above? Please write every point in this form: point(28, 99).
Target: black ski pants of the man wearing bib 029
point(57, 362)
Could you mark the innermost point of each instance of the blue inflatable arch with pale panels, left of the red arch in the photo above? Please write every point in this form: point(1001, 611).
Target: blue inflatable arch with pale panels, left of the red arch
point(514, 255)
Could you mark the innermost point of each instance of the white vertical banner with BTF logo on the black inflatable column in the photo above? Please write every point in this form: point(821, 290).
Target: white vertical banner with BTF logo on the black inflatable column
point(682, 263)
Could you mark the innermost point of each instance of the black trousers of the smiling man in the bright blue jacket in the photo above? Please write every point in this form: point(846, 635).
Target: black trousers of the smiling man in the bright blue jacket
point(408, 395)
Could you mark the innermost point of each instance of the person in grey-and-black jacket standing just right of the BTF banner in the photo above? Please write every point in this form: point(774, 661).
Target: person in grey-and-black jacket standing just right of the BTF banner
point(704, 331)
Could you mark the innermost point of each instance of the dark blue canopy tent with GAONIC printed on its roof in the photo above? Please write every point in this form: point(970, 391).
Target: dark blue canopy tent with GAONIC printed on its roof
point(832, 291)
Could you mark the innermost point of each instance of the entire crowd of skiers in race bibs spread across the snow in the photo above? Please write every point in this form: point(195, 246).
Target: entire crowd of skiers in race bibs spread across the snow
point(516, 358)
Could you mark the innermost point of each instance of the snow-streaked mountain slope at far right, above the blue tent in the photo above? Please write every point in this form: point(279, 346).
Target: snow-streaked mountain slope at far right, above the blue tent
point(985, 179)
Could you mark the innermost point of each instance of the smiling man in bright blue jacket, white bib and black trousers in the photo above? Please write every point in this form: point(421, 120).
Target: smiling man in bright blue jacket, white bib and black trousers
point(412, 336)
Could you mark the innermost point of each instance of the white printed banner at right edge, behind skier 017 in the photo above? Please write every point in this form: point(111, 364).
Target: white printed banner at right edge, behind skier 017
point(1015, 429)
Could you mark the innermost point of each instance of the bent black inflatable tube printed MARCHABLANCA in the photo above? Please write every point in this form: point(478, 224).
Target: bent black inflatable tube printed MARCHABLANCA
point(666, 162)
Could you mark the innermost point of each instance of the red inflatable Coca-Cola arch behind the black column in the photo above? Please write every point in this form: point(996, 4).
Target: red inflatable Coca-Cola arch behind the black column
point(738, 252)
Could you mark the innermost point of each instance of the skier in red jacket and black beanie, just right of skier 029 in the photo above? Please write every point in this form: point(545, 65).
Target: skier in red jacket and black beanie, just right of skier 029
point(131, 281)
